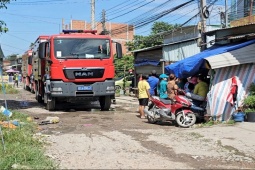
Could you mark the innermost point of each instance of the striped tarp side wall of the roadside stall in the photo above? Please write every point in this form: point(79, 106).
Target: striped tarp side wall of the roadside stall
point(218, 105)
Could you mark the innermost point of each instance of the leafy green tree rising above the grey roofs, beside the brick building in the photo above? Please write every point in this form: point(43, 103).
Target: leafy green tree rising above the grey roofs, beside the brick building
point(153, 39)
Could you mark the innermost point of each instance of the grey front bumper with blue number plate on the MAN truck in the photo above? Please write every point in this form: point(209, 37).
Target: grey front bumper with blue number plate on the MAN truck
point(69, 89)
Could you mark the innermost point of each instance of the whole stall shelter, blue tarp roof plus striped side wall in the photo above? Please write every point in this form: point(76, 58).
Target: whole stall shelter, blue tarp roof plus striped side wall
point(228, 61)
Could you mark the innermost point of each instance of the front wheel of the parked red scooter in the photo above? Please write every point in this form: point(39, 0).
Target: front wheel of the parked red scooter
point(185, 120)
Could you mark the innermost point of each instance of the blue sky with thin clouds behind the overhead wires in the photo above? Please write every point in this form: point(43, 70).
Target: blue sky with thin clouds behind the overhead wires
point(27, 19)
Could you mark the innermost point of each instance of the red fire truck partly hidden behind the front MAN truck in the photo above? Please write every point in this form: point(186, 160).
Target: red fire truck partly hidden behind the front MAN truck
point(27, 69)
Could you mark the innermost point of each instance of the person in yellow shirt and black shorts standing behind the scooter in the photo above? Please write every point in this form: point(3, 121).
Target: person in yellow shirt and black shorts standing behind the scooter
point(143, 95)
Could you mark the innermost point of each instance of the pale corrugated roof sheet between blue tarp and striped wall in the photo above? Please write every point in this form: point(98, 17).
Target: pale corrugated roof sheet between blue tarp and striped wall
point(236, 57)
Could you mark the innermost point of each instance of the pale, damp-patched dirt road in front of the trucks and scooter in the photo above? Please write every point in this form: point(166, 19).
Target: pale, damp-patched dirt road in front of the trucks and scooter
point(118, 139)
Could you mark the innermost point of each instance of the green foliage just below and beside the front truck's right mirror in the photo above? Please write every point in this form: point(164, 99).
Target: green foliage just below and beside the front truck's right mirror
point(123, 64)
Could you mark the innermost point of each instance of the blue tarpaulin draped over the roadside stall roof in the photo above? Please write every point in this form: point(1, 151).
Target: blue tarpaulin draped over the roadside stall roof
point(192, 65)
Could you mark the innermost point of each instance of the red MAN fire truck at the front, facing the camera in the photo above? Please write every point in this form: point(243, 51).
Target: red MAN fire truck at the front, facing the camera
point(75, 66)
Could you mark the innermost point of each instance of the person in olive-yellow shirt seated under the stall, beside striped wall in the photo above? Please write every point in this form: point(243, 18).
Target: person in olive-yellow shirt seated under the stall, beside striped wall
point(200, 91)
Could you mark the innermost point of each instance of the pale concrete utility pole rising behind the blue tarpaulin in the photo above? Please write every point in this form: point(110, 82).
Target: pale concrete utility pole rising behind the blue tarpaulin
point(203, 11)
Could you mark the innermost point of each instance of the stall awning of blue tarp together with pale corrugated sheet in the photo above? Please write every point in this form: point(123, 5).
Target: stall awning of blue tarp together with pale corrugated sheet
point(217, 56)
